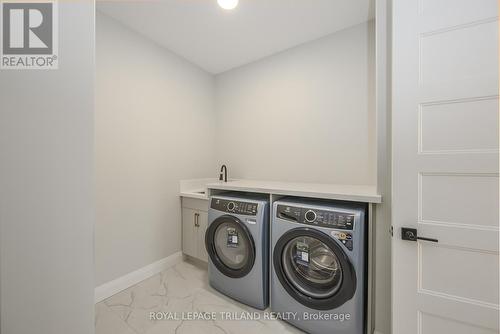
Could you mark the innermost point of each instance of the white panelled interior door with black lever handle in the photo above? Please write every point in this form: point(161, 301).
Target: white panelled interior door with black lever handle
point(445, 166)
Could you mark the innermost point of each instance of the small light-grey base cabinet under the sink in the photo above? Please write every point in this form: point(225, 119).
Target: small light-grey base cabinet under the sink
point(194, 226)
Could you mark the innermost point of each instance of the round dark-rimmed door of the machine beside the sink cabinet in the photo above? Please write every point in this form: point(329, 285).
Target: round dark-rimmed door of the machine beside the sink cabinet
point(230, 246)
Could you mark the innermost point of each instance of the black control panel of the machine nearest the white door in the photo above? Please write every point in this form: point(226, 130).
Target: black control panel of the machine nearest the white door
point(322, 218)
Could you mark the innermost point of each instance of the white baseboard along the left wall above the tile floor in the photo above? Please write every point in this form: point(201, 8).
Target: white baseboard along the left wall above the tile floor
point(121, 283)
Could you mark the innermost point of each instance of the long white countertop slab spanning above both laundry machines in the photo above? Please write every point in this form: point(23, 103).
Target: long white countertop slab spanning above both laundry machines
point(359, 193)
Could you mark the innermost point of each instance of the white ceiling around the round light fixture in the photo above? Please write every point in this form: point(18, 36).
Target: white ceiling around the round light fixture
point(218, 40)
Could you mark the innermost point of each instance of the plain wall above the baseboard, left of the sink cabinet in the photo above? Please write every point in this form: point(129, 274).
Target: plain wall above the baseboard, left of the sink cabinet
point(154, 126)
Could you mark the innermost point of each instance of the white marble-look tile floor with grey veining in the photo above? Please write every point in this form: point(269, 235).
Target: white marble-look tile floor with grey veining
point(180, 290)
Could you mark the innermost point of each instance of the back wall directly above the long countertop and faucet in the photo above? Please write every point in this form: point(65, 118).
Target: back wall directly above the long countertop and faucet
point(306, 114)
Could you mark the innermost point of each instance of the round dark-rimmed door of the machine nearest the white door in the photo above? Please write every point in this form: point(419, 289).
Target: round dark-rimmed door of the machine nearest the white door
point(314, 269)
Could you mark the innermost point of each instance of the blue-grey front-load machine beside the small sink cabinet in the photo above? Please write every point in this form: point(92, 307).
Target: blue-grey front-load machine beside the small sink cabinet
point(237, 242)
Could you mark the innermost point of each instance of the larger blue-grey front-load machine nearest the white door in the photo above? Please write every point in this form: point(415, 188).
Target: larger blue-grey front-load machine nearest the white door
point(318, 275)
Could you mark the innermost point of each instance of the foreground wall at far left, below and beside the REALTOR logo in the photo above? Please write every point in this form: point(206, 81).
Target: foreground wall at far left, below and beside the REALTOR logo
point(46, 203)
